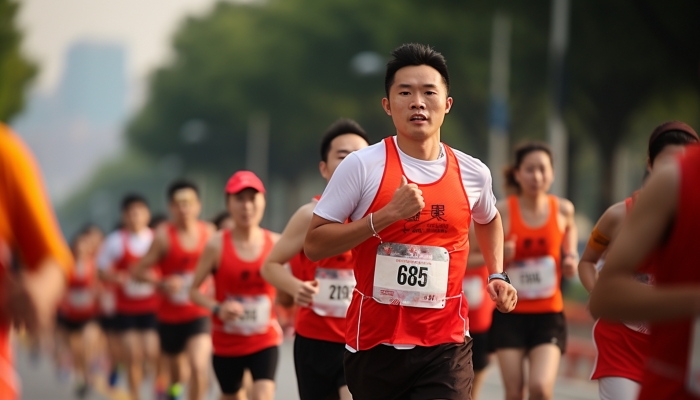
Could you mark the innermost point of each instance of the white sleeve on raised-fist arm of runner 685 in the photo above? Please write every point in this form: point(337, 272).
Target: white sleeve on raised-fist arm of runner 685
point(344, 191)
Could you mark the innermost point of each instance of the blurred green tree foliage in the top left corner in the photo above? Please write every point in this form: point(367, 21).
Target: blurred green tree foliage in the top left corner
point(15, 70)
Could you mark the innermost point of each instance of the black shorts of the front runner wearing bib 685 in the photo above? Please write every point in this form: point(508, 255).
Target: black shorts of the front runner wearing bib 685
point(422, 373)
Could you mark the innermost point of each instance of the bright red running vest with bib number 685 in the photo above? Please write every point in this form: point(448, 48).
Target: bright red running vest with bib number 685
point(443, 223)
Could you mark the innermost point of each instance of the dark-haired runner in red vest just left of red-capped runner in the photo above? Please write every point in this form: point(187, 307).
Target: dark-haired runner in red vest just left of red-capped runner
point(183, 327)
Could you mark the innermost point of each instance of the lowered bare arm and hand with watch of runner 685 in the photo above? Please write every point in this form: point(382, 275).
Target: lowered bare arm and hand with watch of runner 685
point(490, 238)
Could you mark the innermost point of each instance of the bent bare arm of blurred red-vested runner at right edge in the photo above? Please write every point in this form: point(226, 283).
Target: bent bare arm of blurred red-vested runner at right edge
point(617, 295)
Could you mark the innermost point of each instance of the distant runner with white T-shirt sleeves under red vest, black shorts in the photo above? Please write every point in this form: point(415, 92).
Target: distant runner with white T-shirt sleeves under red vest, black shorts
point(136, 302)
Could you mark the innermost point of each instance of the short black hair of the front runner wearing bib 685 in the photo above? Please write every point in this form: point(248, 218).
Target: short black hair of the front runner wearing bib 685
point(415, 54)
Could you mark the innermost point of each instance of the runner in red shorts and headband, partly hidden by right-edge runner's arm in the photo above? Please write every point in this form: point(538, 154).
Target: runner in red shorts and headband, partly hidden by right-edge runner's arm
point(622, 347)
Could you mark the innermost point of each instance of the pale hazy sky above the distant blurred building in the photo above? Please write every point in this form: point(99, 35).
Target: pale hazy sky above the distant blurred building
point(143, 26)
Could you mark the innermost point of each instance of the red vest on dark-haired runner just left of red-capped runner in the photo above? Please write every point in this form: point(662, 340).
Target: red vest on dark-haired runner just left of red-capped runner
point(179, 309)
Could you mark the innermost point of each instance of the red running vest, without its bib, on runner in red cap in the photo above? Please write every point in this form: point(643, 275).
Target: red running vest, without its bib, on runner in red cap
point(236, 278)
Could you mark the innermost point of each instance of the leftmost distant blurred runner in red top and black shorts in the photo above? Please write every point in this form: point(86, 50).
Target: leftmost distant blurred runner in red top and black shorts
point(77, 313)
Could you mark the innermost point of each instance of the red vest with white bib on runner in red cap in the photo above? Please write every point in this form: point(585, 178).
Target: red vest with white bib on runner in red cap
point(240, 280)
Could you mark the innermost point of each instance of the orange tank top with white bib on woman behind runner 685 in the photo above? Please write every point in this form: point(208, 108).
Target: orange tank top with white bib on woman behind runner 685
point(536, 269)
